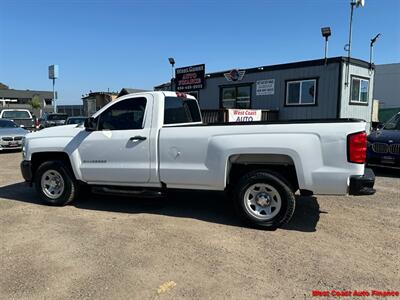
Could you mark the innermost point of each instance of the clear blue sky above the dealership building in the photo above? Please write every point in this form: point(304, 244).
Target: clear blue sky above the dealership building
point(103, 45)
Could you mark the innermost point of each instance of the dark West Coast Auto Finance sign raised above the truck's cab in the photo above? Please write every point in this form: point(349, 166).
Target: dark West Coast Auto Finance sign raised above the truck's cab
point(190, 78)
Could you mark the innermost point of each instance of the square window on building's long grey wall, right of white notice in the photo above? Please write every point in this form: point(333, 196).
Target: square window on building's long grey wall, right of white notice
point(301, 92)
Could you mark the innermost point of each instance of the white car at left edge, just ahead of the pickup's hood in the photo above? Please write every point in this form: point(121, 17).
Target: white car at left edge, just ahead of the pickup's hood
point(11, 135)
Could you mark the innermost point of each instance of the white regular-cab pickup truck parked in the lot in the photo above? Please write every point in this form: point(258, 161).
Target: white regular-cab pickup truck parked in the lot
point(143, 144)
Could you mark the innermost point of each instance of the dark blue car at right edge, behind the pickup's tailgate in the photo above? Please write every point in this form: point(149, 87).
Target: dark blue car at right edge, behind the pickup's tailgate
point(384, 144)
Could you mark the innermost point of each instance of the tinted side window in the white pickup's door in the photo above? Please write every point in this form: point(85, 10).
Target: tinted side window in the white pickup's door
point(124, 115)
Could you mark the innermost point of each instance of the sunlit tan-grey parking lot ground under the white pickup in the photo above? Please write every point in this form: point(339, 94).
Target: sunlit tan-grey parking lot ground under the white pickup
point(190, 245)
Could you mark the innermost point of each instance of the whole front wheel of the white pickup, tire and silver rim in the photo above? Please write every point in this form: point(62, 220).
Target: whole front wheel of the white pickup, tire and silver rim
point(55, 183)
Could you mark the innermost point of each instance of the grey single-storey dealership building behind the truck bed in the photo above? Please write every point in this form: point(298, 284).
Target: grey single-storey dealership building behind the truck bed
point(314, 89)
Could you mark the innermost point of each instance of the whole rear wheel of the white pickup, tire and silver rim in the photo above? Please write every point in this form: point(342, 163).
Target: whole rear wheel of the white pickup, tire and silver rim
point(262, 199)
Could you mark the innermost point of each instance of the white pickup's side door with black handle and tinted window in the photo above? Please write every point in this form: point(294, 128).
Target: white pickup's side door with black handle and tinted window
point(119, 150)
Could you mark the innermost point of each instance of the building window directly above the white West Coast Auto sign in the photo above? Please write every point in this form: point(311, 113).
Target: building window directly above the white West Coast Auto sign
point(236, 97)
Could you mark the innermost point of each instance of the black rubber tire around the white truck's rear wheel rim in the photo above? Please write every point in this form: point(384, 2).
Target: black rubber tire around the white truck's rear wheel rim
point(287, 199)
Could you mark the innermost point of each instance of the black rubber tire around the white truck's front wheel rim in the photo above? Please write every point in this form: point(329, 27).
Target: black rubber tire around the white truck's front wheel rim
point(70, 186)
